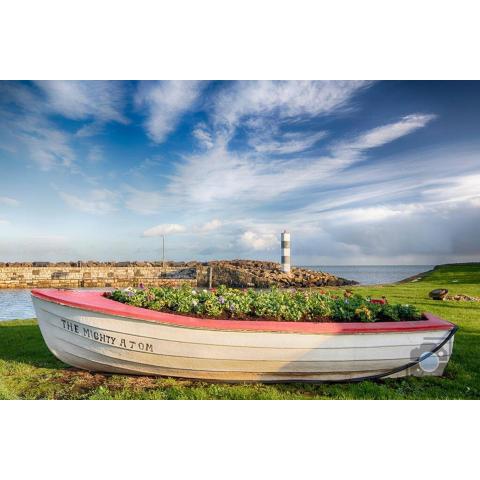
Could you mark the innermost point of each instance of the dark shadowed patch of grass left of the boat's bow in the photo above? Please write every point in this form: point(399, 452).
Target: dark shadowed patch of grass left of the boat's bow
point(23, 342)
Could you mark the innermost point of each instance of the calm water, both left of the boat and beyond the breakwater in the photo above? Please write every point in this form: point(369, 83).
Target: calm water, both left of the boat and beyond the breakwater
point(17, 303)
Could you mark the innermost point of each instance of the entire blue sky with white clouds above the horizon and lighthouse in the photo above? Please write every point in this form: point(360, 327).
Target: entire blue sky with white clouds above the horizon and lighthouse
point(359, 172)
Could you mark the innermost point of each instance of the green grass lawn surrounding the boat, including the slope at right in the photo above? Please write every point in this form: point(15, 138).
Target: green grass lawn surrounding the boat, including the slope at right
point(29, 371)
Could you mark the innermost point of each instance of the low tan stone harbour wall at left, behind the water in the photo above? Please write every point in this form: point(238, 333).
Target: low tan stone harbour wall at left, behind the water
point(93, 276)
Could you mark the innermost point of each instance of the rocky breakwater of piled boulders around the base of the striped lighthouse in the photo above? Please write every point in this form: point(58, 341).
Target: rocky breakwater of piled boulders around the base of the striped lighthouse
point(259, 274)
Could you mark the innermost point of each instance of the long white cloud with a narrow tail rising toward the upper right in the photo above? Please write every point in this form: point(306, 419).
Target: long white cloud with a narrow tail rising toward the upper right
point(219, 175)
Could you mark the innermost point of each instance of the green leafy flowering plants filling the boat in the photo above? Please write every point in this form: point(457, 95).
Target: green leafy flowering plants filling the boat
point(274, 304)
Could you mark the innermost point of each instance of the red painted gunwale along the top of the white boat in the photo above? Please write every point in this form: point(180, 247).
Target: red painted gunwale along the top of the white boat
point(95, 301)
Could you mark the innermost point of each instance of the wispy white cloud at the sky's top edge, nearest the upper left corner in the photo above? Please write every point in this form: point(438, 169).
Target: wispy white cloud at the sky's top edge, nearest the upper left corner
point(84, 100)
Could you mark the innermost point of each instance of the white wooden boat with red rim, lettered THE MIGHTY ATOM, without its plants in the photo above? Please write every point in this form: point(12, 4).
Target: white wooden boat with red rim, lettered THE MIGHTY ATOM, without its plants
point(86, 330)
